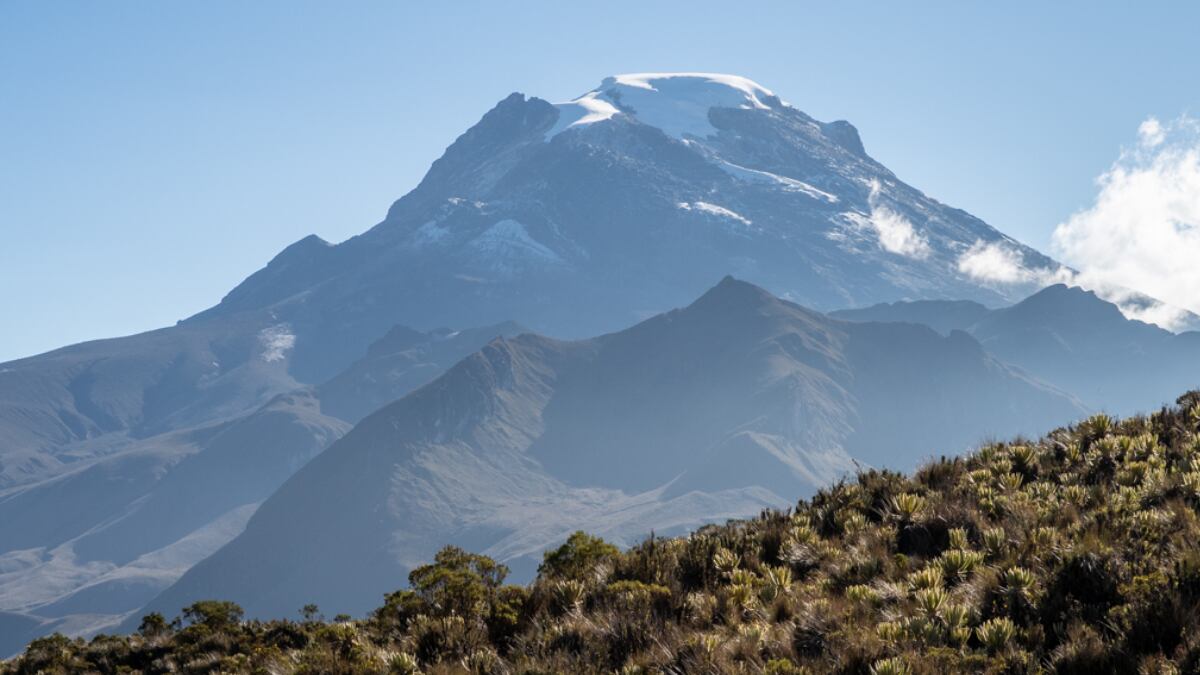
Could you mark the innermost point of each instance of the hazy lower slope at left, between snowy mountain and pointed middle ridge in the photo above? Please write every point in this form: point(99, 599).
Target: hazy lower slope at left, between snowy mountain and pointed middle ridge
point(86, 547)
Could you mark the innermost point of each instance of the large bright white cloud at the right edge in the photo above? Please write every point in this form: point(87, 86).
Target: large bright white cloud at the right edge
point(1143, 232)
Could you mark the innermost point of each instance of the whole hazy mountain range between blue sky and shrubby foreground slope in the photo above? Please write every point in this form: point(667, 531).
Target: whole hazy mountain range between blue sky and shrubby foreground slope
point(127, 462)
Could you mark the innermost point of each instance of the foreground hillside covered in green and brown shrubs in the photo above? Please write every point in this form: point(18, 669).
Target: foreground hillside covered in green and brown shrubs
point(1079, 553)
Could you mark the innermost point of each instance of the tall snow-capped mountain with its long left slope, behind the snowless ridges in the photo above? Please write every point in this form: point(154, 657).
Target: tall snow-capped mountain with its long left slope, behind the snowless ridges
point(574, 223)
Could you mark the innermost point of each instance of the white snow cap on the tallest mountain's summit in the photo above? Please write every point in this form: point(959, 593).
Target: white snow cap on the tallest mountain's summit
point(677, 104)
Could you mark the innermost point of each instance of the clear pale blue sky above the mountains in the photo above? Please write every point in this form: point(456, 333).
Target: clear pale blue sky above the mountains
point(154, 154)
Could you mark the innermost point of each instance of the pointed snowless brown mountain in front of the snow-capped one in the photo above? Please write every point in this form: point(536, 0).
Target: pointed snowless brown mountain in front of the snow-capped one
point(736, 403)
